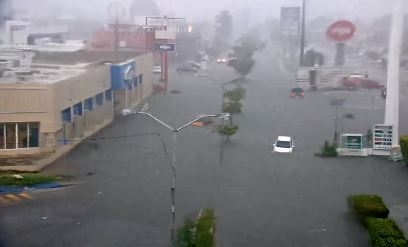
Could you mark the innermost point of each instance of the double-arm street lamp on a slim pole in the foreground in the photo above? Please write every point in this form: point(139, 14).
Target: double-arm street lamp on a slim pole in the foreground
point(126, 112)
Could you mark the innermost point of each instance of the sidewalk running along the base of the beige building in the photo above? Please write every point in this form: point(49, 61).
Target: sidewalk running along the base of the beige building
point(37, 162)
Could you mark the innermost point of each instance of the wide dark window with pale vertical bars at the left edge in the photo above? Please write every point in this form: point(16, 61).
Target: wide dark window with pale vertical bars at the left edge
point(19, 135)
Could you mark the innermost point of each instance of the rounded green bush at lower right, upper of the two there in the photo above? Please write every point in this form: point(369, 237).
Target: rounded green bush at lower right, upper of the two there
point(365, 206)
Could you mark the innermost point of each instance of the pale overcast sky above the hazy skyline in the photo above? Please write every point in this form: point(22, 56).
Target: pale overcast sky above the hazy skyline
point(201, 10)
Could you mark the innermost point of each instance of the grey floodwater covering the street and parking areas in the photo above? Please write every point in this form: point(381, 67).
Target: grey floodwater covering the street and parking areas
point(260, 198)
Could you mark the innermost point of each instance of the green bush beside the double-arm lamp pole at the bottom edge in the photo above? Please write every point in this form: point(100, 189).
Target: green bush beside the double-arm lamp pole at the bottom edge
point(199, 233)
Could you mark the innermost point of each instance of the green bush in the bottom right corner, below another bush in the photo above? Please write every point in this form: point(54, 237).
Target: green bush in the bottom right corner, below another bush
point(385, 233)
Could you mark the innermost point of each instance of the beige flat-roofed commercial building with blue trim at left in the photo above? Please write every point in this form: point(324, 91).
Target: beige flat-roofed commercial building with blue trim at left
point(61, 98)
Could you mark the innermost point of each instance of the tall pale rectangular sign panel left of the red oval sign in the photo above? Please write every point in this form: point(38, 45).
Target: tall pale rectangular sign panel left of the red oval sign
point(290, 21)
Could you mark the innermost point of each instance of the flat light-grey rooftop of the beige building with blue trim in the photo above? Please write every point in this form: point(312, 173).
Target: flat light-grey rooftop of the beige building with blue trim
point(20, 67)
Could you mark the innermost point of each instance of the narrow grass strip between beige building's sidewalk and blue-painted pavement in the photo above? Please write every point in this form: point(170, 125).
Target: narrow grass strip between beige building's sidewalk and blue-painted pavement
point(26, 179)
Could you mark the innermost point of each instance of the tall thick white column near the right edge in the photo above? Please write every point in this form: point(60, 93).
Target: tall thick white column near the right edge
point(394, 51)
